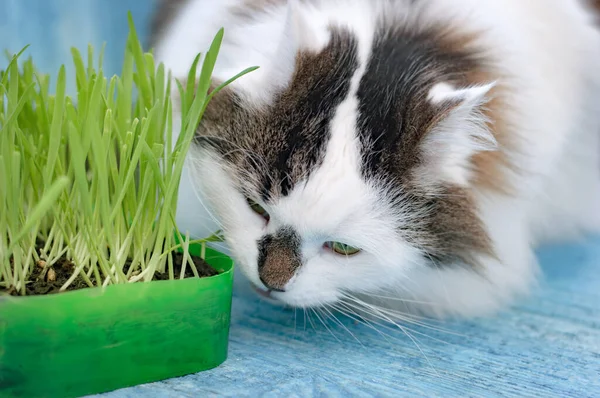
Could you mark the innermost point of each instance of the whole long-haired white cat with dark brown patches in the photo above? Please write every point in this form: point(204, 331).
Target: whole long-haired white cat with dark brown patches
point(445, 139)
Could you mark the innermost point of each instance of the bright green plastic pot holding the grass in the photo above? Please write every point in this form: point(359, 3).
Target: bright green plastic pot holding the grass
point(100, 339)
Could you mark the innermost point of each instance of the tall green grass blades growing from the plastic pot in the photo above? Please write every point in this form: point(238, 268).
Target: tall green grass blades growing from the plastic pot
point(95, 177)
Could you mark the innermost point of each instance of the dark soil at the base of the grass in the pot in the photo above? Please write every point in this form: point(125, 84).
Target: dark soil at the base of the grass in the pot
point(50, 280)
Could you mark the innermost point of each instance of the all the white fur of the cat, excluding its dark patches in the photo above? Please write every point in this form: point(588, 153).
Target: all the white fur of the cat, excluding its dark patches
point(548, 53)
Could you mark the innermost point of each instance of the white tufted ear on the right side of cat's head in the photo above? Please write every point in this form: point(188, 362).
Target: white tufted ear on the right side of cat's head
point(461, 132)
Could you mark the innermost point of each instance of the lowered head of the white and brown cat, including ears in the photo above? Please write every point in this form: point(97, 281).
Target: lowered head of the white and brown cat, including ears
point(347, 164)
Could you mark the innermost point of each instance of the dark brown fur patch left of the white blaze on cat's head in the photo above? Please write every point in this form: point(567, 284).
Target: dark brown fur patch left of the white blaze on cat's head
point(273, 148)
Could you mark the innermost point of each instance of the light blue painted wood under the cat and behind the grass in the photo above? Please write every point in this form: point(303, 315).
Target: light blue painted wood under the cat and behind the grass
point(548, 345)
